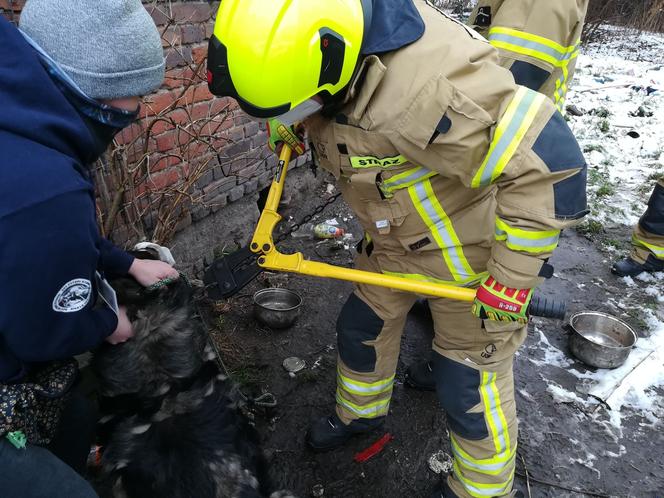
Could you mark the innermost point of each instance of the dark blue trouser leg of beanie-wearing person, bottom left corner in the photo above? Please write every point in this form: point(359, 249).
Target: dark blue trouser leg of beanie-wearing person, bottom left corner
point(34, 472)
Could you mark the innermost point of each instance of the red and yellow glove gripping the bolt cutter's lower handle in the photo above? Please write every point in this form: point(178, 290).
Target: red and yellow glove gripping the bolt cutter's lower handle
point(496, 302)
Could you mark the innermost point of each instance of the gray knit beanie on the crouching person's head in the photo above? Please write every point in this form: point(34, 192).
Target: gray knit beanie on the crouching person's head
point(110, 48)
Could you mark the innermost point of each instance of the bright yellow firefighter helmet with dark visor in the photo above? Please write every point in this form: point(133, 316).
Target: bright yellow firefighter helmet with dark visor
point(273, 55)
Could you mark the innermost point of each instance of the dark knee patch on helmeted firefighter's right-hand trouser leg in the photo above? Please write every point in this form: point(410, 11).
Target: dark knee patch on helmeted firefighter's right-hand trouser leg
point(458, 391)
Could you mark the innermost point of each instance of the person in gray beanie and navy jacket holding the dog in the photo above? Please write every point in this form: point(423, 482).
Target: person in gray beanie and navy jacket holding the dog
point(70, 79)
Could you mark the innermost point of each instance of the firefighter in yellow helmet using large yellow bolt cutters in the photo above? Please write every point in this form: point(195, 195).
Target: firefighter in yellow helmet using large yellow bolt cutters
point(454, 181)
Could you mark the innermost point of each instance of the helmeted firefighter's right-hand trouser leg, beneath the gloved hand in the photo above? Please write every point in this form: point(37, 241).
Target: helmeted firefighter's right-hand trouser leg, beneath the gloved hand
point(473, 369)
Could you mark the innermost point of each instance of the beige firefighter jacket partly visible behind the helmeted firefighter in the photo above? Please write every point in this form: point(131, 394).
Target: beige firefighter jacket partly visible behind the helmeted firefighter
point(538, 40)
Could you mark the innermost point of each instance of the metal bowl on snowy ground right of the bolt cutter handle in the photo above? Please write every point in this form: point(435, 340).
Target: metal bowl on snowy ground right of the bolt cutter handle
point(600, 340)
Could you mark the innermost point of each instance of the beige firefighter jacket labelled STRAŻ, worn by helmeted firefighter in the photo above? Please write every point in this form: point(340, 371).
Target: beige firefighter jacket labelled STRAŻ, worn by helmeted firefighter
point(452, 169)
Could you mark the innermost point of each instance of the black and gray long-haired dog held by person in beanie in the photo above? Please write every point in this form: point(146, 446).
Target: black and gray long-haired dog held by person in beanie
point(171, 425)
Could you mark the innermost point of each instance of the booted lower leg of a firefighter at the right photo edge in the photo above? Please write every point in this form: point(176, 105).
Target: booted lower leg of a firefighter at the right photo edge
point(647, 240)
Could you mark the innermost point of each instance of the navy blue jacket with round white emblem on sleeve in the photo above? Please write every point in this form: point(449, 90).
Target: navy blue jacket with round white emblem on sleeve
point(50, 247)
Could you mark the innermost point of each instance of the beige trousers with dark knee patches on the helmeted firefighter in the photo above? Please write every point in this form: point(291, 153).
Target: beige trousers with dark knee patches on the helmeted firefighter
point(473, 369)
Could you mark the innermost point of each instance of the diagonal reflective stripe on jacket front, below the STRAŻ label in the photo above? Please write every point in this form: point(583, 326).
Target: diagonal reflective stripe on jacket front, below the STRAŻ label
point(439, 224)
